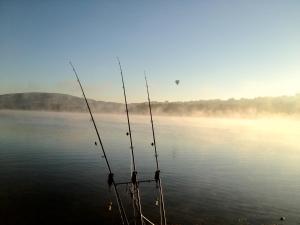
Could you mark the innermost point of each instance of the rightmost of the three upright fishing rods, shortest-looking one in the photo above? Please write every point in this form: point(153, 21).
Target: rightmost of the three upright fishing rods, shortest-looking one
point(163, 220)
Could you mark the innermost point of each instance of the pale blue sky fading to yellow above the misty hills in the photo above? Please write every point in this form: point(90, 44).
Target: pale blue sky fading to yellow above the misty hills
point(217, 49)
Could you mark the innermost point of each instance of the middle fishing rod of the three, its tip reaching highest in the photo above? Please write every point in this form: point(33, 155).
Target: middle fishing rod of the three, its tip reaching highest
point(134, 180)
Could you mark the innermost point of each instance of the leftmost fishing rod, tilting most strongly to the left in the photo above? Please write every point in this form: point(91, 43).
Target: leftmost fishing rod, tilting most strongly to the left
point(111, 175)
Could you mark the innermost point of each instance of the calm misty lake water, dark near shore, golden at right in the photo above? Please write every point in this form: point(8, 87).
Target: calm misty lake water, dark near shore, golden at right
point(214, 171)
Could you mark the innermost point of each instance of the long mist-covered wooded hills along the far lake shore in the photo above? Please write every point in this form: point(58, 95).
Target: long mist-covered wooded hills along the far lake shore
point(288, 105)
